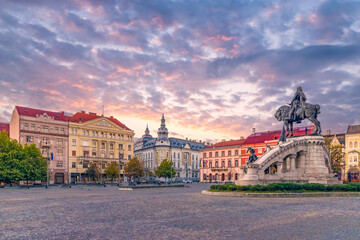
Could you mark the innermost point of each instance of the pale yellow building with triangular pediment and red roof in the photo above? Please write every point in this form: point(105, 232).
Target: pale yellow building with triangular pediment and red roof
point(97, 139)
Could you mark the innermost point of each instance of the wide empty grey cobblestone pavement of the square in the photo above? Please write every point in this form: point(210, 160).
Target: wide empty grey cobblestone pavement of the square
point(179, 213)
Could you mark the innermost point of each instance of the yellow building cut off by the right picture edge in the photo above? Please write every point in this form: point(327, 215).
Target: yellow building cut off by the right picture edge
point(352, 150)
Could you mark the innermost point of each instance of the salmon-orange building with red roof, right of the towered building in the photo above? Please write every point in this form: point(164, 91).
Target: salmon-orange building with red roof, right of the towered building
point(221, 161)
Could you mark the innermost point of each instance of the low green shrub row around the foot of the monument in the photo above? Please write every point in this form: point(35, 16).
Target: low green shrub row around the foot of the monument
point(289, 187)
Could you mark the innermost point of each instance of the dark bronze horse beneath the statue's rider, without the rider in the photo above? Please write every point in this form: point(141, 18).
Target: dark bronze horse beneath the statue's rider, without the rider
point(305, 111)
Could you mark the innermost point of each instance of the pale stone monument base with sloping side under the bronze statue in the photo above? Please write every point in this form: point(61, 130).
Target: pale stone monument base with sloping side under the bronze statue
point(303, 159)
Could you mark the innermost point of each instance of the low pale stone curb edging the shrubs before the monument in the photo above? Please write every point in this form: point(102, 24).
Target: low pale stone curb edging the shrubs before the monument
point(281, 195)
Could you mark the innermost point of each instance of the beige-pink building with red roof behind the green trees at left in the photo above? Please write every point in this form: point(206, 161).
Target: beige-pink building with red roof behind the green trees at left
point(49, 131)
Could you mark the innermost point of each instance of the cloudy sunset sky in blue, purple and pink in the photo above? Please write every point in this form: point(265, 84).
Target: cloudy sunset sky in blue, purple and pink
point(216, 69)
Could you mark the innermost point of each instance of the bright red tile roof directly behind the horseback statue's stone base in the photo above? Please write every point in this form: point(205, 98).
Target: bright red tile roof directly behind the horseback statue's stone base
point(262, 137)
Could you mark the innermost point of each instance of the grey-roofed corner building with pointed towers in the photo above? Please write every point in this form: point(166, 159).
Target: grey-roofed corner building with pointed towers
point(184, 154)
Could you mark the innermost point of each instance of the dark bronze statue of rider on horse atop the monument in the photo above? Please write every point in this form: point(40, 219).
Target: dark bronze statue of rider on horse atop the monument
point(296, 111)
